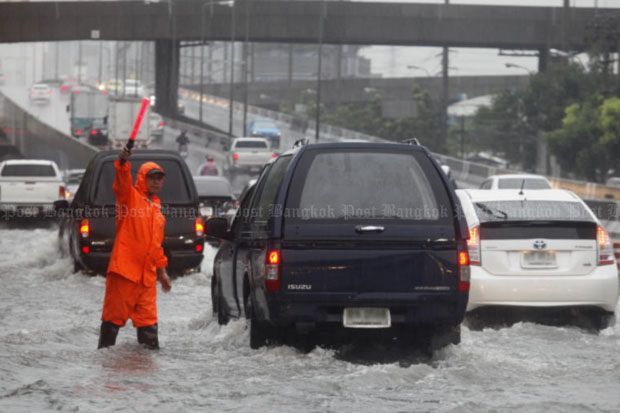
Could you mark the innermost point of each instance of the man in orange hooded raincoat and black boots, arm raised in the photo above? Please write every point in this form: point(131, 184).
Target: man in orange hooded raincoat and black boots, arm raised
point(138, 259)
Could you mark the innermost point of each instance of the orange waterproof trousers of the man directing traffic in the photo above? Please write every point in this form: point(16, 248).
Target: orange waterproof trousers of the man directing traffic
point(125, 300)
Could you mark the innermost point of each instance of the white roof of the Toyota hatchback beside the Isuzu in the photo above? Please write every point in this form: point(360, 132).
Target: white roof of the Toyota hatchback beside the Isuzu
point(482, 195)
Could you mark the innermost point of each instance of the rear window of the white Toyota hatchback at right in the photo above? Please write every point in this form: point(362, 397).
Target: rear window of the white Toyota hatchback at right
point(491, 211)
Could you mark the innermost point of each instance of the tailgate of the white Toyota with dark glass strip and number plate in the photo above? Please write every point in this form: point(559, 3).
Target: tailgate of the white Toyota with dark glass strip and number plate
point(567, 248)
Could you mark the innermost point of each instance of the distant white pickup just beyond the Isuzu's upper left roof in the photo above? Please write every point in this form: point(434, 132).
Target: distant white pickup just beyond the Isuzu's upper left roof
point(248, 155)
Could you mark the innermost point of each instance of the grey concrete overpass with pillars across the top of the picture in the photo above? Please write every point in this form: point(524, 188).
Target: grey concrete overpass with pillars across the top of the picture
point(535, 28)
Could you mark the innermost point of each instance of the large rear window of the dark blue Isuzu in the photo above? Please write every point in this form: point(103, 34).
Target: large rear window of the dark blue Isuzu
point(361, 185)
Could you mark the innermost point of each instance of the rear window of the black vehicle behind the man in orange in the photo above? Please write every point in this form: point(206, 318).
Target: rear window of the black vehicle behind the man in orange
point(174, 191)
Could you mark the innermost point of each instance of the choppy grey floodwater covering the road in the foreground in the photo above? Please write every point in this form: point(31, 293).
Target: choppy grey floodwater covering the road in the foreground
point(50, 316)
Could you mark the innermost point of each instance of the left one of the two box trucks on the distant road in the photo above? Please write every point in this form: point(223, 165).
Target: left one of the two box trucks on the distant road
point(86, 105)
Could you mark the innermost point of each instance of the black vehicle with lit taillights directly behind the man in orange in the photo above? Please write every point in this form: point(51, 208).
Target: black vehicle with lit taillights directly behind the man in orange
point(87, 226)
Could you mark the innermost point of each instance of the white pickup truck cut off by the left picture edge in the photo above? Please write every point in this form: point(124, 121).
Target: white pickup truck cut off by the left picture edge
point(29, 187)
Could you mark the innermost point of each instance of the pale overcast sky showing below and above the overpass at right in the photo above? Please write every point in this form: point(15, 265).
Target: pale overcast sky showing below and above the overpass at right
point(397, 61)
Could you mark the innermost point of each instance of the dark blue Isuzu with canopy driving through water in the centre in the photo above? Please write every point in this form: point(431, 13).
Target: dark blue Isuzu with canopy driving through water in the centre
point(352, 236)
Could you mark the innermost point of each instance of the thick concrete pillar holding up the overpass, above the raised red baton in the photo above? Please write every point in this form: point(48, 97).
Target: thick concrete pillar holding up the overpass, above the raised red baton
point(166, 77)
